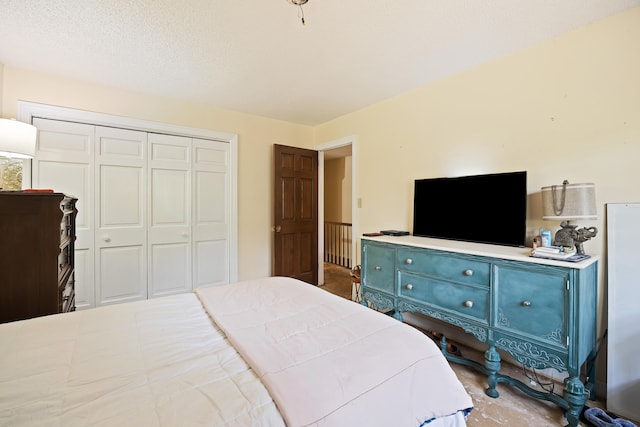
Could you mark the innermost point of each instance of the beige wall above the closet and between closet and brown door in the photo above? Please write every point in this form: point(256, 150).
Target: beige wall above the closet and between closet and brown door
point(256, 136)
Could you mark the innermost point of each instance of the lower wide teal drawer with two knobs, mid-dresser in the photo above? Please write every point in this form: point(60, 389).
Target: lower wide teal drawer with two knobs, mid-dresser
point(454, 297)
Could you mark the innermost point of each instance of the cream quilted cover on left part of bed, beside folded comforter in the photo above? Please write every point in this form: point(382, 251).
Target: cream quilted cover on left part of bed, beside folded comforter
point(160, 362)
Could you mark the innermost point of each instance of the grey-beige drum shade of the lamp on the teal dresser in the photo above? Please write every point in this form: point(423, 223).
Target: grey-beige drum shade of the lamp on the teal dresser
point(569, 202)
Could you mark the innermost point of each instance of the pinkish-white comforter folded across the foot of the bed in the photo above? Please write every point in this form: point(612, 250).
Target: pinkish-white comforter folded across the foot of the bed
point(330, 362)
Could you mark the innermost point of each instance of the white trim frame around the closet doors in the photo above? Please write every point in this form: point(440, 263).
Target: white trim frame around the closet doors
point(28, 110)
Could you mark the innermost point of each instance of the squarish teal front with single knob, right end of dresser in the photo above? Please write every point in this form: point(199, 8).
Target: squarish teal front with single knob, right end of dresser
point(534, 303)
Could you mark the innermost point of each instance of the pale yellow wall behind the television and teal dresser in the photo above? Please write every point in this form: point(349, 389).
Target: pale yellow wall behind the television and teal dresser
point(568, 108)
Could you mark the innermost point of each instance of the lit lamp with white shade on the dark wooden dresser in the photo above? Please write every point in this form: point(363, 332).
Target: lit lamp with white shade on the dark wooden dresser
point(17, 142)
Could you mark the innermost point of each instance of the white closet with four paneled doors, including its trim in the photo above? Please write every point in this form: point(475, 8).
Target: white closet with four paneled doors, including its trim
point(156, 208)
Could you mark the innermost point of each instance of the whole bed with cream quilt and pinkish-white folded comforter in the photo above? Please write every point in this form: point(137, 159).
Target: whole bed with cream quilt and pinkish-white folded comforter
point(268, 352)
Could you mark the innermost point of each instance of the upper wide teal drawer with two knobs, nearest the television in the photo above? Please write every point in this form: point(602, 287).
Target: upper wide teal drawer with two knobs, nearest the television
point(445, 266)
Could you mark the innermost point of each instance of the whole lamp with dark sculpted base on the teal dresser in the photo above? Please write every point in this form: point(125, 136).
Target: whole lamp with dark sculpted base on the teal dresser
point(568, 202)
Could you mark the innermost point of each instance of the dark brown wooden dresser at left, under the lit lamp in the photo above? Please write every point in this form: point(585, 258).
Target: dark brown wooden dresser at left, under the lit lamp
point(37, 236)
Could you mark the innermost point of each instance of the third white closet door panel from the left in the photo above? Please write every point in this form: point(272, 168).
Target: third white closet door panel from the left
point(169, 234)
